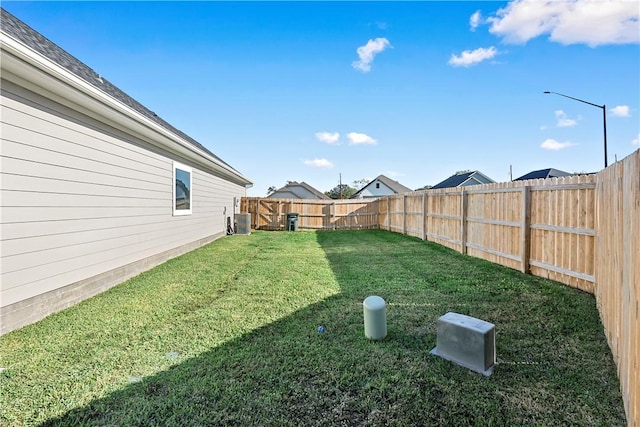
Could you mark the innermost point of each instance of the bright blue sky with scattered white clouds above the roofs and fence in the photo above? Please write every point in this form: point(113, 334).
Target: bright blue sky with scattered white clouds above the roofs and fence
point(306, 91)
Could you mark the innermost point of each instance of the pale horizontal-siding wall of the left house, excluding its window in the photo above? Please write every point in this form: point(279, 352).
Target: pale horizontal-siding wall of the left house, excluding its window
point(85, 206)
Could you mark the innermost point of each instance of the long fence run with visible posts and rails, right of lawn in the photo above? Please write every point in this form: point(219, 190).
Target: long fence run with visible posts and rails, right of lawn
point(543, 227)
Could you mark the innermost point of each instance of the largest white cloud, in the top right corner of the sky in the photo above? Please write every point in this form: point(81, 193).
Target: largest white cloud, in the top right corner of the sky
point(590, 22)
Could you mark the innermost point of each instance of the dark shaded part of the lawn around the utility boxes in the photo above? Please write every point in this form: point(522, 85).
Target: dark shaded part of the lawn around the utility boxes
point(555, 367)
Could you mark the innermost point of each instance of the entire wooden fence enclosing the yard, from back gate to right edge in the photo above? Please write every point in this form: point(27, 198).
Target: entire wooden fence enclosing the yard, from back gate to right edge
point(582, 231)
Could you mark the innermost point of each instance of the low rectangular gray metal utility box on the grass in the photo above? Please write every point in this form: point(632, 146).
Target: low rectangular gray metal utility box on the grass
point(467, 341)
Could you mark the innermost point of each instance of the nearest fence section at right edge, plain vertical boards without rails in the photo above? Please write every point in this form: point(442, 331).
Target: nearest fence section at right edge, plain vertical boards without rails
point(617, 272)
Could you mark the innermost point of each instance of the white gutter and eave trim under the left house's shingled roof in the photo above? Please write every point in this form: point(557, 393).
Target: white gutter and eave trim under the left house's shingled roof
point(26, 67)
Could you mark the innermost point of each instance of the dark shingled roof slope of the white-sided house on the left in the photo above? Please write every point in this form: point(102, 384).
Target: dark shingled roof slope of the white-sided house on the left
point(21, 32)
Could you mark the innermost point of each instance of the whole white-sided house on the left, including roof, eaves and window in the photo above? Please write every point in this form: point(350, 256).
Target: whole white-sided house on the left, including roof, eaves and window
point(95, 187)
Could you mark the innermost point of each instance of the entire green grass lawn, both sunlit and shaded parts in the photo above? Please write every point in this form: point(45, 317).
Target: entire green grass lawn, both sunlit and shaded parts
point(226, 335)
